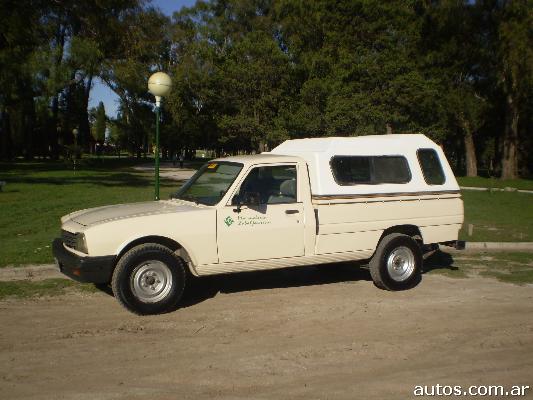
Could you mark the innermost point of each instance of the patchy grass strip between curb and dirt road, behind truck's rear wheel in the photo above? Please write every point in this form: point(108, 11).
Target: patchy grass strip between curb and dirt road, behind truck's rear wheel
point(516, 268)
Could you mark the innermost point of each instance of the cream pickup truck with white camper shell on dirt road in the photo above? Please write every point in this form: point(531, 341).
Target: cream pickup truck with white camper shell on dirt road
point(384, 199)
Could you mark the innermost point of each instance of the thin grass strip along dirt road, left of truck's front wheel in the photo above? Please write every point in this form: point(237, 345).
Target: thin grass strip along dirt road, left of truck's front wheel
point(48, 287)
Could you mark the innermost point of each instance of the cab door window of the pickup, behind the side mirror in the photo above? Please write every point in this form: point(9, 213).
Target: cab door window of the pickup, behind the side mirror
point(270, 185)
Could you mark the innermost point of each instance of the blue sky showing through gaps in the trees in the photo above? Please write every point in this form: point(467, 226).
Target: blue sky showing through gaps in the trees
point(100, 92)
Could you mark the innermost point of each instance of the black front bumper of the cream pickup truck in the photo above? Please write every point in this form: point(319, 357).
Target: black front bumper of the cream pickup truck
point(83, 269)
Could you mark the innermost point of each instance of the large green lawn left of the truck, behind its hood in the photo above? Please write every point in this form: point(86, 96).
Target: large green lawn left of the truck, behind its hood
point(38, 194)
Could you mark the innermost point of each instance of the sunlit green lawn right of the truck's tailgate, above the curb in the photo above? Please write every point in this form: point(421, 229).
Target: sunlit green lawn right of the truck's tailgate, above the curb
point(498, 216)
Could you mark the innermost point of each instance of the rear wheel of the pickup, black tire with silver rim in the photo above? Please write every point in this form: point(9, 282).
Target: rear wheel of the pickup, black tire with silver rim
point(397, 263)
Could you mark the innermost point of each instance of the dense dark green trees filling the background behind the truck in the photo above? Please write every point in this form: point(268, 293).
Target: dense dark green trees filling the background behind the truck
point(248, 74)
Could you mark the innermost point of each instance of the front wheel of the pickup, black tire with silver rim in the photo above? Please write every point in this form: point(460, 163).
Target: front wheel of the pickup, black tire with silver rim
point(149, 279)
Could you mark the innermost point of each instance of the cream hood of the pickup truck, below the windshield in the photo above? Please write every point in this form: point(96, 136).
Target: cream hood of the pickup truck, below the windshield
point(93, 216)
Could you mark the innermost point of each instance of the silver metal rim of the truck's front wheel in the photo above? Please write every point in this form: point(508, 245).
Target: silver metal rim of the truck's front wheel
point(151, 281)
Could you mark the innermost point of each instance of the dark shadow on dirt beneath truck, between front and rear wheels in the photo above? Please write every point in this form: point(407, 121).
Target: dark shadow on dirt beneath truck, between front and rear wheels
point(201, 289)
